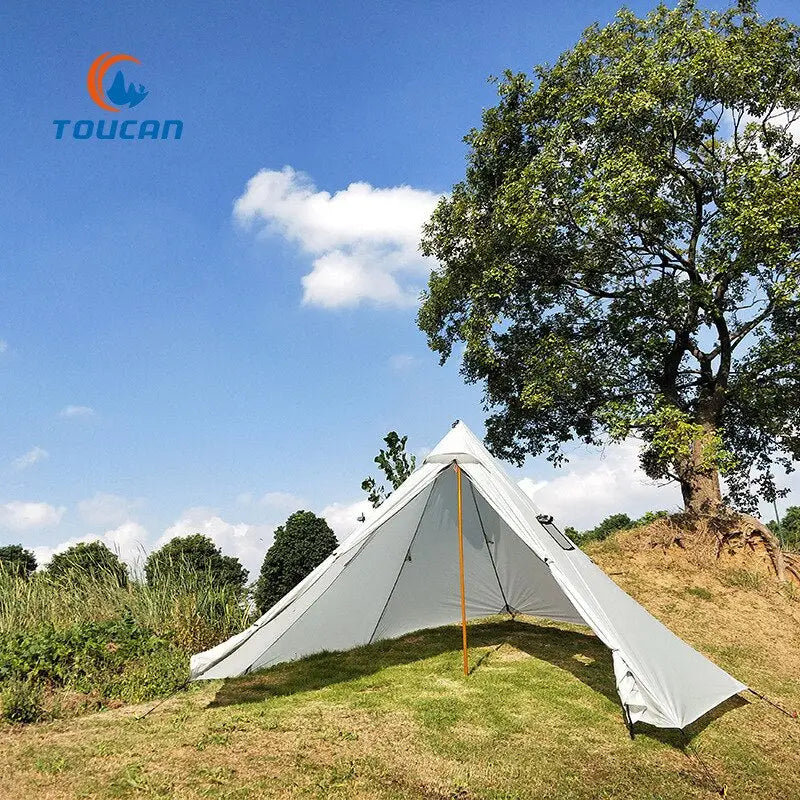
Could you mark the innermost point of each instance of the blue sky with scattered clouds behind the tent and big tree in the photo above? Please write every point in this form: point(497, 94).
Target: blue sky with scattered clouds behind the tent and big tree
point(164, 366)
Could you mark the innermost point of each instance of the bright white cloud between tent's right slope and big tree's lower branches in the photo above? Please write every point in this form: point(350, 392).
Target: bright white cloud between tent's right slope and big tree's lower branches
point(593, 486)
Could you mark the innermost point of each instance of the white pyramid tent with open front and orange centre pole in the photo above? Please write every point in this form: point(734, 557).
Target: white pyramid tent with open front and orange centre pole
point(460, 539)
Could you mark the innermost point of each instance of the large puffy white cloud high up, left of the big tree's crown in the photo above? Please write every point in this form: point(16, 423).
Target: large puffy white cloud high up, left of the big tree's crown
point(363, 240)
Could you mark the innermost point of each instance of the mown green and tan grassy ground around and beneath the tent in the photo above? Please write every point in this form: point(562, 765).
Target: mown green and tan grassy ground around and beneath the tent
point(537, 718)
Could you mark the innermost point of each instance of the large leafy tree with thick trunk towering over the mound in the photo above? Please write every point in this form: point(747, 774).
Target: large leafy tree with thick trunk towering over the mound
point(623, 255)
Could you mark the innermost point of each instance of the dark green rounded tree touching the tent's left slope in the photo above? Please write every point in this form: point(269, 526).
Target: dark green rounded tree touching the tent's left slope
point(300, 545)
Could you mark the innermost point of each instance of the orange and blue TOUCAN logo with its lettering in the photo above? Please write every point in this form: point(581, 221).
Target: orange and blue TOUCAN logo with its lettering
point(120, 94)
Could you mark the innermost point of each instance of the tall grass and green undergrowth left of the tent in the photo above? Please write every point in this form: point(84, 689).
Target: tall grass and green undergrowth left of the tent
point(104, 639)
